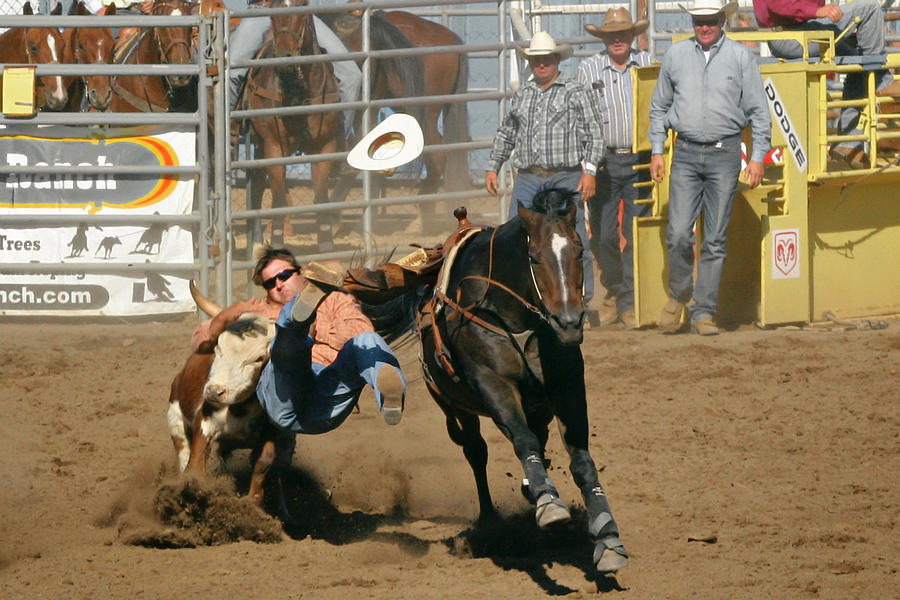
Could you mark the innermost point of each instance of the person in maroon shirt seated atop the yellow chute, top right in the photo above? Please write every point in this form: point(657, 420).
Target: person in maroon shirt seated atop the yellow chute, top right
point(817, 15)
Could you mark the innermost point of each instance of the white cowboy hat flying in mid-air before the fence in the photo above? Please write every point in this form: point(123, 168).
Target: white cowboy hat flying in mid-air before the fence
point(394, 142)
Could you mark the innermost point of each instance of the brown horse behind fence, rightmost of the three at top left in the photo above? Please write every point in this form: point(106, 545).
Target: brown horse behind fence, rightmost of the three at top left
point(156, 46)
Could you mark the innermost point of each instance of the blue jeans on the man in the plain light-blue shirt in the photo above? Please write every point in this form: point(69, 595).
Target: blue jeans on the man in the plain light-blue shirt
point(703, 181)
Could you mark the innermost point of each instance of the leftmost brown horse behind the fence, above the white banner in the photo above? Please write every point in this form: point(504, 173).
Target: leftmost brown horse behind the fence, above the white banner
point(37, 46)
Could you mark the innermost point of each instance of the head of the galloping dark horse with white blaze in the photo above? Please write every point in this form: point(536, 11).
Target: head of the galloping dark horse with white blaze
point(554, 256)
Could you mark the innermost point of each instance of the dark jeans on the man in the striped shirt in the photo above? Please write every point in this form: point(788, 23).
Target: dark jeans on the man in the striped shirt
point(614, 183)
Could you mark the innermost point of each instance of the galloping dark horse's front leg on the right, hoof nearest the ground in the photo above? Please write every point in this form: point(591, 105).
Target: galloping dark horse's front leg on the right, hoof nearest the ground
point(568, 397)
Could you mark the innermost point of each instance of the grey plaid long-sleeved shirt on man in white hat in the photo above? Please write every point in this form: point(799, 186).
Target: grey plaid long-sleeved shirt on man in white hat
point(555, 128)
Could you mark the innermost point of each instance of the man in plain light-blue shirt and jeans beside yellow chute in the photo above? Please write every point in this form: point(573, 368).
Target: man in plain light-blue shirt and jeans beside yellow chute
point(708, 90)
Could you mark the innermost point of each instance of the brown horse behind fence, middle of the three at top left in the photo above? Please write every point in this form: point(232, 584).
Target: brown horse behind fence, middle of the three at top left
point(89, 45)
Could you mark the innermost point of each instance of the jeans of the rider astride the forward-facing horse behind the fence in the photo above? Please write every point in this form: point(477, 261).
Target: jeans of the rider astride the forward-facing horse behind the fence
point(246, 40)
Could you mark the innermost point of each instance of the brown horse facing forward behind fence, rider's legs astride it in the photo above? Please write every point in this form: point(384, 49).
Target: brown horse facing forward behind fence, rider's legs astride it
point(294, 85)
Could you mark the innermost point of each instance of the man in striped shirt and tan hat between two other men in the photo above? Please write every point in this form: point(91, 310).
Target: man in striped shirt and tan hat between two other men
point(608, 74)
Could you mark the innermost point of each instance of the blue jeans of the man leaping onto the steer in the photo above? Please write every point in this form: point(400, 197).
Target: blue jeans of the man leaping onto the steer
point(306, 397)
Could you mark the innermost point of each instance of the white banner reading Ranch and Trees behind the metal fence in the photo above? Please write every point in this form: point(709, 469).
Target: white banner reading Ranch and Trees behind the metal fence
point(134, 293)
